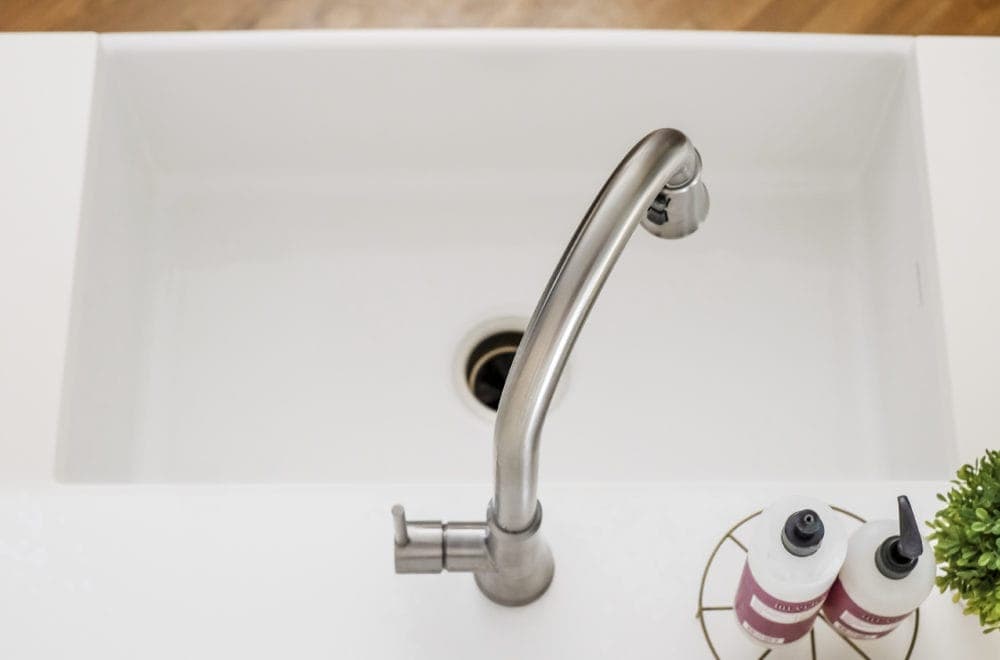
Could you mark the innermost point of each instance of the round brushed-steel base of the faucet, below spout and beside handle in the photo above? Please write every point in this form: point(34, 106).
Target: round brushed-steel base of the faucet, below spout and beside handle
point(523, 563)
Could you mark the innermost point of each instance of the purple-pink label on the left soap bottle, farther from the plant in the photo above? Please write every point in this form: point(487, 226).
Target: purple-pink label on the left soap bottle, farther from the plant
point(769, 619)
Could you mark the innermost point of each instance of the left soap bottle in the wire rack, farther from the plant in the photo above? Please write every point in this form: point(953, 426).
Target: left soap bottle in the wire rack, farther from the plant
point(794, 556)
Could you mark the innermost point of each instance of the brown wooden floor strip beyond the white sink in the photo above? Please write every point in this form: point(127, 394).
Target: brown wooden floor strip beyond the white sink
point(854, 16)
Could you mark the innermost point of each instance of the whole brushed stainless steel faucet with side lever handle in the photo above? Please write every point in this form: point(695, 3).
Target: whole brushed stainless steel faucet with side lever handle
point(658, 183)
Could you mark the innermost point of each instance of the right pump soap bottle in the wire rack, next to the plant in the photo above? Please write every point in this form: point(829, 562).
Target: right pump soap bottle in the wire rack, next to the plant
point(883, 579)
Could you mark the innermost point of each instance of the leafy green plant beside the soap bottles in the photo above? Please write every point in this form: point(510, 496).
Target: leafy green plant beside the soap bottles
point(967, 539)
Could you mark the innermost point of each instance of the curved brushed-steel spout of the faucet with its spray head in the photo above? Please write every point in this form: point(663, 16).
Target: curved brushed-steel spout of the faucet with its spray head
point(658, 184)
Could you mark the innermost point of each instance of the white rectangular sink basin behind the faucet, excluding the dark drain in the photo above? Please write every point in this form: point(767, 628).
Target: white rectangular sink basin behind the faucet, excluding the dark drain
point(284, 249)
